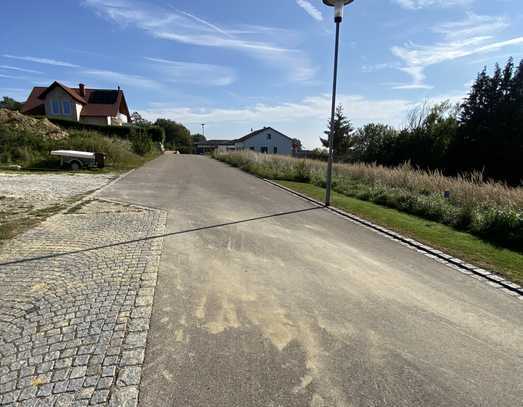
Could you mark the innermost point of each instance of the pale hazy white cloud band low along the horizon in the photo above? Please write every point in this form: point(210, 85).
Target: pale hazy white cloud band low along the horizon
point(305, 119)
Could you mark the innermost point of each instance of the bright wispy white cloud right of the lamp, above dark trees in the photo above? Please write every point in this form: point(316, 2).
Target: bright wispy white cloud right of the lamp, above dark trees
point(472, 36)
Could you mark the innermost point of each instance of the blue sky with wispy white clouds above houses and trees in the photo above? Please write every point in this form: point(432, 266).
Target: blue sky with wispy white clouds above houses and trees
point(242, 64)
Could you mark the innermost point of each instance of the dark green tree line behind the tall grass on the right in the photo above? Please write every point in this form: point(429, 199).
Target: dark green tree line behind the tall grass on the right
point(483, 134)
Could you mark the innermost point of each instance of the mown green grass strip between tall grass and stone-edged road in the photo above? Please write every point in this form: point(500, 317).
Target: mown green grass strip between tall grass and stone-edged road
point(463, 245)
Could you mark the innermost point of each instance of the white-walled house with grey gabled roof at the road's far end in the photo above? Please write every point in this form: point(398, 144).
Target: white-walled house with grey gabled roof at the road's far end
point(268, 141)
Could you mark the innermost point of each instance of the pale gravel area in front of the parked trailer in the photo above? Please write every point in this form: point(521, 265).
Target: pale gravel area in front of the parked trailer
point(21, 194)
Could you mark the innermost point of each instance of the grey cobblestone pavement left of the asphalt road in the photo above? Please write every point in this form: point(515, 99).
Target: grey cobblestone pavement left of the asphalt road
point(73, 327)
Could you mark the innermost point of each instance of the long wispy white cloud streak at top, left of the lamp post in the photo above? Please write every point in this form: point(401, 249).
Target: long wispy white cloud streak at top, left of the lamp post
point(174, 25)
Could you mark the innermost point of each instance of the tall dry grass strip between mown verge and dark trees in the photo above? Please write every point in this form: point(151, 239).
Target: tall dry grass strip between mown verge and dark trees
point(491, 210)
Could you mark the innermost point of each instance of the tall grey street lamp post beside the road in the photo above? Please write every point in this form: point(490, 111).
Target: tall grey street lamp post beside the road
point(338, 17)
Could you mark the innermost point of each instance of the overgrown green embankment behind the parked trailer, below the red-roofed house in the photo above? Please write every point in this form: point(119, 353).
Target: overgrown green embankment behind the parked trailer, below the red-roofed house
point(27, 141)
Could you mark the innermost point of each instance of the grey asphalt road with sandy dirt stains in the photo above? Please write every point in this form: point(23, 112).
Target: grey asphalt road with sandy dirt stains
point(305, 308)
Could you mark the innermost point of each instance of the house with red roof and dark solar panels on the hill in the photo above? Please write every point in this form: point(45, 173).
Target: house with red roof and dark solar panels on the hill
point(91, 106)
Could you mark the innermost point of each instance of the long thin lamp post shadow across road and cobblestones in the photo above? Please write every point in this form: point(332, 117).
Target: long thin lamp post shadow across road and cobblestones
point(181, 232)
